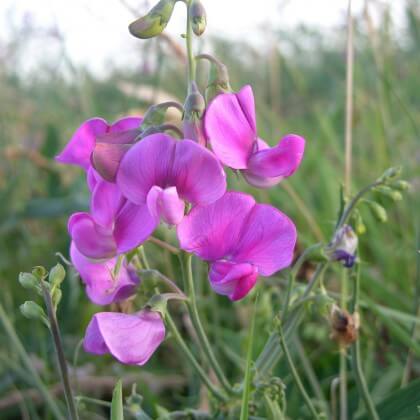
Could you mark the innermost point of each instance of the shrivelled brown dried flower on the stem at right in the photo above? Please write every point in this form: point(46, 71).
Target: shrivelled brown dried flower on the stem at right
point(345, 326)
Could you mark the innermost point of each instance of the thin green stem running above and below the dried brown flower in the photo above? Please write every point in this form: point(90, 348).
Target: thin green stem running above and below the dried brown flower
point(355, 356)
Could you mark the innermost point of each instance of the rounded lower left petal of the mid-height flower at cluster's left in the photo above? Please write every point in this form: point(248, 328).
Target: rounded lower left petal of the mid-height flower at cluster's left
point(91, 239)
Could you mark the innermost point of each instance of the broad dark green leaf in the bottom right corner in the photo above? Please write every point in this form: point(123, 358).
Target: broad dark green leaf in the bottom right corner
point(400, 405)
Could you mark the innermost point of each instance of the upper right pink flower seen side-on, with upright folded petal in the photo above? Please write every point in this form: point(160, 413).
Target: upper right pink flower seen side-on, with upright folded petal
point(230, 127)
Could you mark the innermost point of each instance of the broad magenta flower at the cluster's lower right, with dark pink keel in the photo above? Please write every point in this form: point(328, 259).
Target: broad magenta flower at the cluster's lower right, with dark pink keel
point(241, 239)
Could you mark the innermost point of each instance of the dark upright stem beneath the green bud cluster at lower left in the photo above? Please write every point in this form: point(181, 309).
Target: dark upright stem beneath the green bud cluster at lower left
point(58, 344)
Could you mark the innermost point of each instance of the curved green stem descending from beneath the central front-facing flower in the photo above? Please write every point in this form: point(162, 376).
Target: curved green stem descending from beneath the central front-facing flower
point(202, 337)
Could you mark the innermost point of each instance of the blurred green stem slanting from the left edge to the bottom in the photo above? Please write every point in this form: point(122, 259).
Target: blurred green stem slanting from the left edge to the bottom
point(17, 344)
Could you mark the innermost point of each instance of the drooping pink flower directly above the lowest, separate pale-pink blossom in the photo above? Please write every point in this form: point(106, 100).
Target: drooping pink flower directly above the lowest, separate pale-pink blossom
point(102, 287)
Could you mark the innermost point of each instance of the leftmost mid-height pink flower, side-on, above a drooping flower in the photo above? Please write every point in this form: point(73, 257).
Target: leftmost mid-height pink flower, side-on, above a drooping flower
point(113, 226)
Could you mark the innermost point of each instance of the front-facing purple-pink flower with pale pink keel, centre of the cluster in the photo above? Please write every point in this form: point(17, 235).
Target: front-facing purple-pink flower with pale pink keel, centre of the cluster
point(162, 173)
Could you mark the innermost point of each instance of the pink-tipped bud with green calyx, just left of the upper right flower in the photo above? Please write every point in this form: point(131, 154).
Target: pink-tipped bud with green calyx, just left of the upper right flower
point(193, 112)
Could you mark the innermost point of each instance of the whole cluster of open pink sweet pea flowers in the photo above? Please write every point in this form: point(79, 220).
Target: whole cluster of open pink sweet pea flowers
point(138, 180)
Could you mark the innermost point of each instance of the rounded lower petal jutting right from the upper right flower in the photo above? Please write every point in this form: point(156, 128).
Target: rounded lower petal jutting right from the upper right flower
point(279, 161)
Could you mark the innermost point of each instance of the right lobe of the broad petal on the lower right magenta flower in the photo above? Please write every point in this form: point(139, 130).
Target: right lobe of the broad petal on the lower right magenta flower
point(267, 240)
